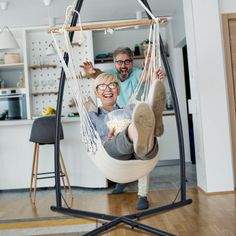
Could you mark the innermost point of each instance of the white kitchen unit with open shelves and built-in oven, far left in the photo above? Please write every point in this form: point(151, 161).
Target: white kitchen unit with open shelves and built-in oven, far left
point(13, 84)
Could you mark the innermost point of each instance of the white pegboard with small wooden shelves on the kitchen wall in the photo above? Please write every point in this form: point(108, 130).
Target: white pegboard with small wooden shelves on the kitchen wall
point(44, 71)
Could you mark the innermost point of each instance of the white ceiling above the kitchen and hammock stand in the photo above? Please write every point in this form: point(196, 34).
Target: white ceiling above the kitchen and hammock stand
point(34, 12)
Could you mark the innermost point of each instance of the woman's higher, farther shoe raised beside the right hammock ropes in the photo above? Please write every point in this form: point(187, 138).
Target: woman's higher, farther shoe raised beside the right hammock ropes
point(157, 102)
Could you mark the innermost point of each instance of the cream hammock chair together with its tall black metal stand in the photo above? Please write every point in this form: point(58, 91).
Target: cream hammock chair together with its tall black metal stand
point(118, 171)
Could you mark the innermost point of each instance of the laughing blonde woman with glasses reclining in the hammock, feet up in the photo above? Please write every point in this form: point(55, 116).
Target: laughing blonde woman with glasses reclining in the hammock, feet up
point(138, 140)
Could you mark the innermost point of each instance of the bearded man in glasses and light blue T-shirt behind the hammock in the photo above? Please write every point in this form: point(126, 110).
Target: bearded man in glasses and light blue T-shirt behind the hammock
point(128, 76)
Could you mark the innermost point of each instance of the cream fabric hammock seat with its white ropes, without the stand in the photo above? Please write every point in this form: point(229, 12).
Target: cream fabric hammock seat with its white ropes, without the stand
point(115, 170)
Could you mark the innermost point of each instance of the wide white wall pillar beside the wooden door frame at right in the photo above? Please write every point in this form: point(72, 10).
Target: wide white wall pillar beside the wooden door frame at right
point(208, 88)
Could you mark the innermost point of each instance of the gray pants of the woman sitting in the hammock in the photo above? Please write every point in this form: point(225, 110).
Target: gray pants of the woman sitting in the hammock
point(121, 148)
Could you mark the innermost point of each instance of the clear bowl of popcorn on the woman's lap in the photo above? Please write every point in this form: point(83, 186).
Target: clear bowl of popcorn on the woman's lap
point(118, 120)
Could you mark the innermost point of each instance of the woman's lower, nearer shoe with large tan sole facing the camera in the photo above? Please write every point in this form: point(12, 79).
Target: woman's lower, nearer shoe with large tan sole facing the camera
point(143, 121)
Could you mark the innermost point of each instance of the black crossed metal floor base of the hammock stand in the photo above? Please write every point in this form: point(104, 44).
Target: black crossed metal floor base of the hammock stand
point(126, 219)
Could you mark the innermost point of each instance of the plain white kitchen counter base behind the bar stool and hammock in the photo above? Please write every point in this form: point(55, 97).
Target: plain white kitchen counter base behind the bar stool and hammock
point(17, 153)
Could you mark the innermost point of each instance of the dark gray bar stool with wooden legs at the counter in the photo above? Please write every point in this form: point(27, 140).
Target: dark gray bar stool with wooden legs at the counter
point(43, 132)
